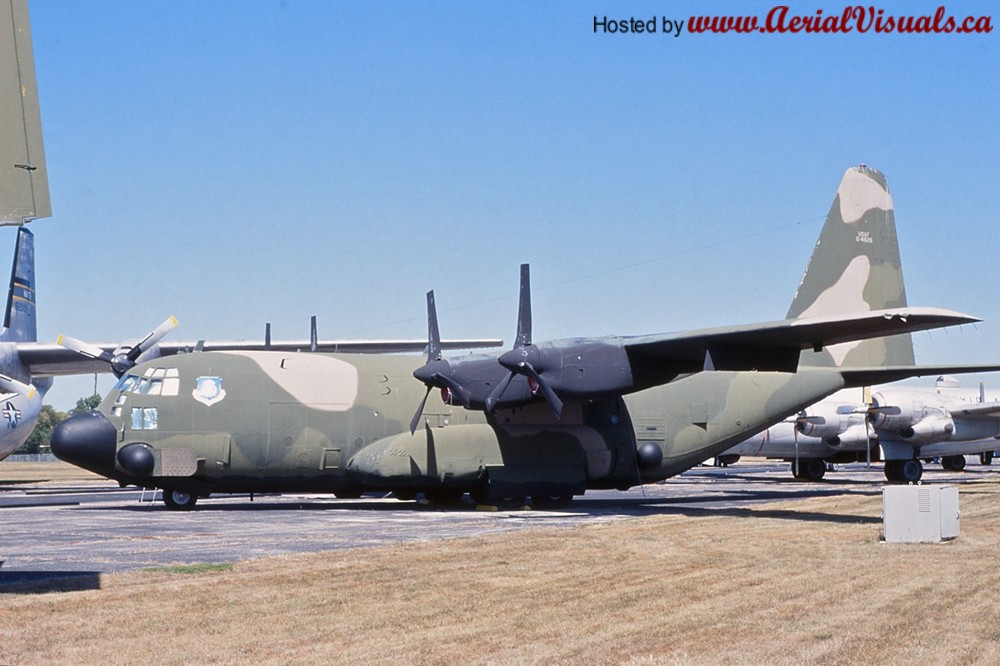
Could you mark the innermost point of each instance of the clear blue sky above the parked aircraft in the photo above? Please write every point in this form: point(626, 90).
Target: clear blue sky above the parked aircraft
point(233, 163)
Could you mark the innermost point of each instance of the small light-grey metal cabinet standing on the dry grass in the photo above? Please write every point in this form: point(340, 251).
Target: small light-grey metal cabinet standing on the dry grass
point(920, 514)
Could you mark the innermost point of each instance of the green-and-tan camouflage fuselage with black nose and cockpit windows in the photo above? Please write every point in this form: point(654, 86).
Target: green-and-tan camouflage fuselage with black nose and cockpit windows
point(270, 421)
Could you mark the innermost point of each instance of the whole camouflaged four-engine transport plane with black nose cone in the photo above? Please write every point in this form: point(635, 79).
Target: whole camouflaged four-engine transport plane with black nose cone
point(547, 420)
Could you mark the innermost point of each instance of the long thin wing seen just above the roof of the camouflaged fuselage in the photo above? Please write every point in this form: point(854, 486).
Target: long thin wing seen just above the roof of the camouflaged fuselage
point(52, 360)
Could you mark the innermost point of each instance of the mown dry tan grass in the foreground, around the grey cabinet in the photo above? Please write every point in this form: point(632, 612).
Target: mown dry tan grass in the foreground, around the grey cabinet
point(803, 581)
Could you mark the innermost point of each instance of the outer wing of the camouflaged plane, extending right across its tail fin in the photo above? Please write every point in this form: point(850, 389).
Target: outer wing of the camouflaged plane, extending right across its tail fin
point(776, 346)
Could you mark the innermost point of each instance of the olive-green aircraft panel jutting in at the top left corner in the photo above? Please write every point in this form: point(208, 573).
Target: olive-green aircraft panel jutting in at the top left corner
point(24, 184)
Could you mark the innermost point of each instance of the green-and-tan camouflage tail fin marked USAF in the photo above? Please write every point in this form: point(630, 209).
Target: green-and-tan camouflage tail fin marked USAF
point(855, 267)
